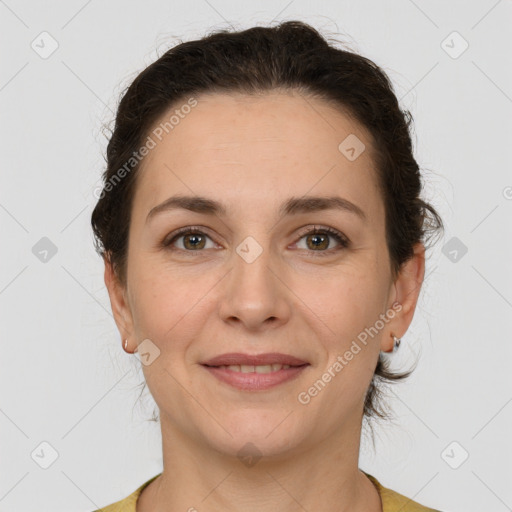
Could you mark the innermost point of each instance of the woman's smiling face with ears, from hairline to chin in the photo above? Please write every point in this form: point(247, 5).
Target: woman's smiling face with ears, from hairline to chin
point(253, 279)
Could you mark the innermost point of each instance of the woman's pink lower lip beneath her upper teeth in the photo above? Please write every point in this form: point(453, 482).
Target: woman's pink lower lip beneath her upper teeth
point(255, 381)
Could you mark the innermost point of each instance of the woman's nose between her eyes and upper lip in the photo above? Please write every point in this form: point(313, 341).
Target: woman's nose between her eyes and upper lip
point(254, 293)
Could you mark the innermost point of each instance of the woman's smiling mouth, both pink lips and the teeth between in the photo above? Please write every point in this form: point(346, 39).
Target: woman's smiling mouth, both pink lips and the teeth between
point(255, 372)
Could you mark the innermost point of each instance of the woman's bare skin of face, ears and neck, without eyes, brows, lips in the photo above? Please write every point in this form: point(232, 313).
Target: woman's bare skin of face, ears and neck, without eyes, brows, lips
point(253, 153)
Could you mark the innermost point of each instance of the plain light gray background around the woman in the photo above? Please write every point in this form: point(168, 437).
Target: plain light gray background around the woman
point(65, 379)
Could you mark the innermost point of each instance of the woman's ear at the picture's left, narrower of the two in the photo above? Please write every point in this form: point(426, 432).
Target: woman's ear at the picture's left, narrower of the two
point(120, 306)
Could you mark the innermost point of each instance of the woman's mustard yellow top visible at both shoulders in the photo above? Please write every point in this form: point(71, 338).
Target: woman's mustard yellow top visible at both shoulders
point(391, 500)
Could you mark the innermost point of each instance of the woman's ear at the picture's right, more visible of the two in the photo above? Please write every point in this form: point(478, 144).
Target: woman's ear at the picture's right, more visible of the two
point(407, 289)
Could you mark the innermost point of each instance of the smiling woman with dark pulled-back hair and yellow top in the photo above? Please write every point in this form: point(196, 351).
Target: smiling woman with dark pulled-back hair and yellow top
point(263, 239)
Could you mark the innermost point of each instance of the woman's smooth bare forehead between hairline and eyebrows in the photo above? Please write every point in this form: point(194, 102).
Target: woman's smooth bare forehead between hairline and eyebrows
point(244, 148)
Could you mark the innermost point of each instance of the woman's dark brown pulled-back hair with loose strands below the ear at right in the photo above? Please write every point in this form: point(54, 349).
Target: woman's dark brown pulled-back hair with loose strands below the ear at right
point(289, 56)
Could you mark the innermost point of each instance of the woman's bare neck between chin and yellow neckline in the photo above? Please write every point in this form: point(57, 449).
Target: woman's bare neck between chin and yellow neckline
point(323, 477)
